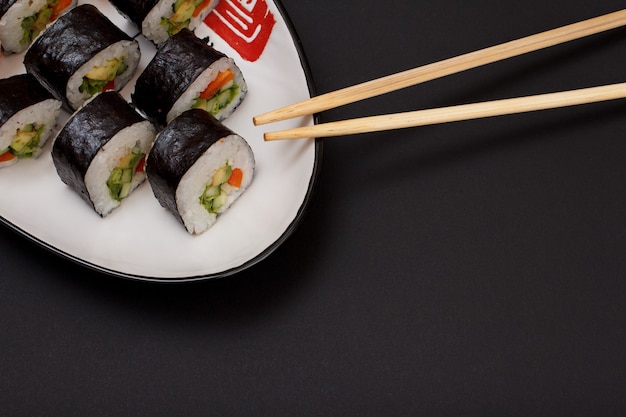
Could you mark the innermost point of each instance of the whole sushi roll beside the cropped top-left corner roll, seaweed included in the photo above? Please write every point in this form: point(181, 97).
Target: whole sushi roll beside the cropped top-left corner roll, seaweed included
point(82, 53)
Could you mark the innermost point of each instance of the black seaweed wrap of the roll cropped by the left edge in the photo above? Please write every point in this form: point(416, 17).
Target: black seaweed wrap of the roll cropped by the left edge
point(19, 92)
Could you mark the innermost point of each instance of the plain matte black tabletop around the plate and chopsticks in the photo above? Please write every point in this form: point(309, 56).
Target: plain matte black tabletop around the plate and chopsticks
point(468, 269)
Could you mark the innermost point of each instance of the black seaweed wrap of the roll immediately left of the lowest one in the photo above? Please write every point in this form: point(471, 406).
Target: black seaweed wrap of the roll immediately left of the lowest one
point(86, 132)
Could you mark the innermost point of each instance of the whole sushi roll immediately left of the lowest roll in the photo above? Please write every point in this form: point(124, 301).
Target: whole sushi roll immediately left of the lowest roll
point(101, 150)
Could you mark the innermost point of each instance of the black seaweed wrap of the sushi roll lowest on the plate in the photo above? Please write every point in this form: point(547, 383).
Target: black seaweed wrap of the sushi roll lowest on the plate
point(177, 147)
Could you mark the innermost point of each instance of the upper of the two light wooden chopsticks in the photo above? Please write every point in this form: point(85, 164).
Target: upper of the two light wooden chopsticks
point(446, 67)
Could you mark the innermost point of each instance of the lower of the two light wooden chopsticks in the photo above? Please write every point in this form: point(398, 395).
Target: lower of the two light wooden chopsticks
point(454, 113)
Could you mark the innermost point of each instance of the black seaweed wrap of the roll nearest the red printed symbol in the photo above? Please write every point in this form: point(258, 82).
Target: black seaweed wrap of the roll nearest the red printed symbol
point(176, 64)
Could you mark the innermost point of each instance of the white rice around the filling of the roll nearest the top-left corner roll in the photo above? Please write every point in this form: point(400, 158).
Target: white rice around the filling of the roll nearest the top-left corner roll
point(127, 50)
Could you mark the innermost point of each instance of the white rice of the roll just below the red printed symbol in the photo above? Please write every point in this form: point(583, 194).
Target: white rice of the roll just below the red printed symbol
point(187, 99)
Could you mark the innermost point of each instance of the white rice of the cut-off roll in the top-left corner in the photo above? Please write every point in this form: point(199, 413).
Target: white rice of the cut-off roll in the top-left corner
point(11, 31)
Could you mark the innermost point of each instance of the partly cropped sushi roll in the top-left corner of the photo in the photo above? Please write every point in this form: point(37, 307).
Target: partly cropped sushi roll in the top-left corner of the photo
point(21, 21)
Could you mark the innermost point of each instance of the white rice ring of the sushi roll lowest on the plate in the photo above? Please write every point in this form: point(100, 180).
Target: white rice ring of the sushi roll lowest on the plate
point(233, 150)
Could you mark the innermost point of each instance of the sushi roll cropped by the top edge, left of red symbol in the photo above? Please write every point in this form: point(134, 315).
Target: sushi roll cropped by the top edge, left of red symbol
point(160, 19)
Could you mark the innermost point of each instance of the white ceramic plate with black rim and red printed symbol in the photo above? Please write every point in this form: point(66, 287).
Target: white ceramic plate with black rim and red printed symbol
point(141, 240)
